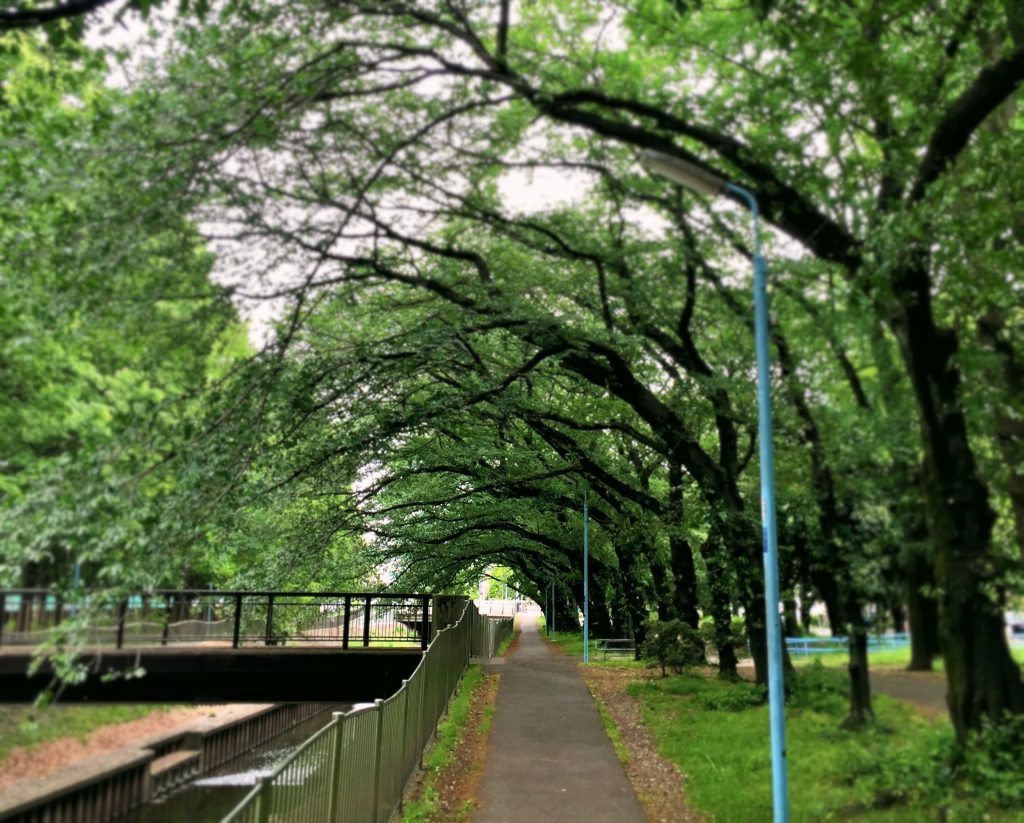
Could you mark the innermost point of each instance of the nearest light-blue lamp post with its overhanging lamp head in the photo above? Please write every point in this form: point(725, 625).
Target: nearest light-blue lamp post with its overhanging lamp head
point(705, 183)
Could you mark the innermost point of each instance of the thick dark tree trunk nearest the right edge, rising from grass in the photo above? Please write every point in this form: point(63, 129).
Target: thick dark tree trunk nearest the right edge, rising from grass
point(984, 681)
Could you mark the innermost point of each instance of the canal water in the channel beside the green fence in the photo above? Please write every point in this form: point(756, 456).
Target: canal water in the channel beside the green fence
point(212, 796)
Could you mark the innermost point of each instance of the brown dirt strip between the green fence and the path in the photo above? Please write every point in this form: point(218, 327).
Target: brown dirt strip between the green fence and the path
point(456, 785)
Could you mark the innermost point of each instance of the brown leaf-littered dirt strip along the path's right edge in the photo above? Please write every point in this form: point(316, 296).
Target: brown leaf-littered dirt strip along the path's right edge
point(658, 783)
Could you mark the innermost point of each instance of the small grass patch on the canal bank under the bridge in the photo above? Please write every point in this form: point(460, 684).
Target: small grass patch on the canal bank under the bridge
point(27, 728)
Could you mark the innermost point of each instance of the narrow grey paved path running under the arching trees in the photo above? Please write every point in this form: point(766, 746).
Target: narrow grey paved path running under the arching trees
point(549, 758)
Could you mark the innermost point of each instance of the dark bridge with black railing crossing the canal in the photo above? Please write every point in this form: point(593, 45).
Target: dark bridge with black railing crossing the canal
point(209, 646)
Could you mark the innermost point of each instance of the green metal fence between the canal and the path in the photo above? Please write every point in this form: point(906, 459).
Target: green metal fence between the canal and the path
point(356, 769)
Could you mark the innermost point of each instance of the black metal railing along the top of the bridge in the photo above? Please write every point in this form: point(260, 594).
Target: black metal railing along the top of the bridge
point(201, 618)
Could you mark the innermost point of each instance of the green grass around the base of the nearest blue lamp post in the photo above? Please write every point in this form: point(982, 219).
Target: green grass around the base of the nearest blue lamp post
point(895, 770)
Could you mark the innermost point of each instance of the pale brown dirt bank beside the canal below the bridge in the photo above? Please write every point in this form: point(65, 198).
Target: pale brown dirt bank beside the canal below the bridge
point(48, 758)
